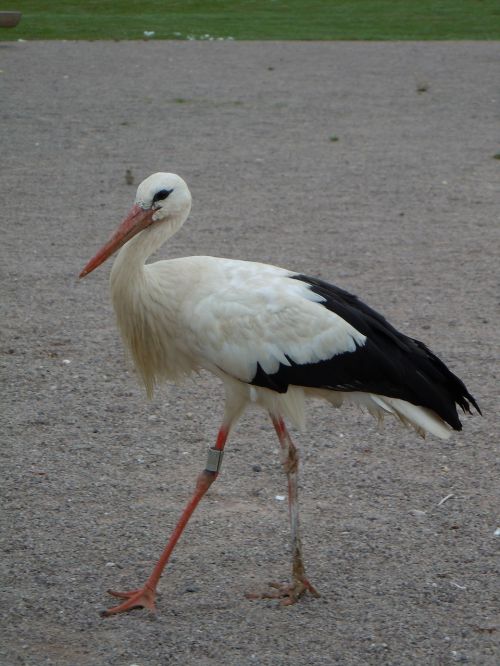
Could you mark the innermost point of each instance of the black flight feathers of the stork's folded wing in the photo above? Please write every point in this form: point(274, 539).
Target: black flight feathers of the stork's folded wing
point(389, 363)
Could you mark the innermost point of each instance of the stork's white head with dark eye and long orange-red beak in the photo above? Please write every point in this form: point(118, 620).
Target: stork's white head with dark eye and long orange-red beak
point(161, 198)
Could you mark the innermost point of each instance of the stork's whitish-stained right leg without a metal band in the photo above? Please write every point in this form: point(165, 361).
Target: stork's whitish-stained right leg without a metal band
point(290, 593)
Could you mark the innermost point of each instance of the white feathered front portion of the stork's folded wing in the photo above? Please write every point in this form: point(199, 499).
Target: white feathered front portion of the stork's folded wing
point(258, 322)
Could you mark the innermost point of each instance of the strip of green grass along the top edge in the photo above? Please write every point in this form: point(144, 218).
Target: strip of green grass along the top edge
point(256, 19)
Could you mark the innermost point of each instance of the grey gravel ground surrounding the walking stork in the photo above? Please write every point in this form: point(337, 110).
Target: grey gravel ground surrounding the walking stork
point(370, 165)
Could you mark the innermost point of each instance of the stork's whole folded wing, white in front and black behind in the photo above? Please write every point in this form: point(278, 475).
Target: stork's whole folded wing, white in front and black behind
point(294, 330)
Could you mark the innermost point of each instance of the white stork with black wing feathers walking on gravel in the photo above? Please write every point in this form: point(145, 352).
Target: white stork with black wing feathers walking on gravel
point(275, 338)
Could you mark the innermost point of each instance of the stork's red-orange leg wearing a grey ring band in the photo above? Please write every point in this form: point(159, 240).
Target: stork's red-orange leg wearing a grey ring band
point(144, 597)
